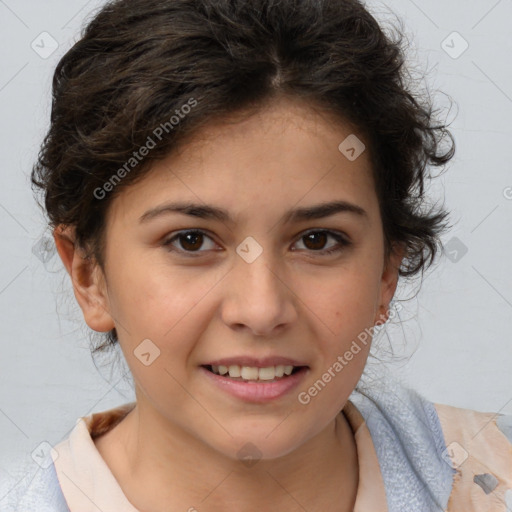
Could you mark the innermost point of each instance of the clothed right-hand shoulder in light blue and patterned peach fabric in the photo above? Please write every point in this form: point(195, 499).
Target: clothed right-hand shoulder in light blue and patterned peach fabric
point(453, 459)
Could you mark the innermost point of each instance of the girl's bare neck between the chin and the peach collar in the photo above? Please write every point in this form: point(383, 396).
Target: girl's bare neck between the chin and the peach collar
point(157, 468)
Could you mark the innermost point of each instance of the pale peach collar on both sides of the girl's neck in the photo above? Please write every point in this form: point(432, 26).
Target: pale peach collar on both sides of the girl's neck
point(88, 484)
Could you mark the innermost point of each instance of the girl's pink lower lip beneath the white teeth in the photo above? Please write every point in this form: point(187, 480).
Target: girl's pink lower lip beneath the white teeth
point(257, 391)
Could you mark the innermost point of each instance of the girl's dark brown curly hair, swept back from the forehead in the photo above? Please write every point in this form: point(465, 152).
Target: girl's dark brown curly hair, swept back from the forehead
point(139, 62)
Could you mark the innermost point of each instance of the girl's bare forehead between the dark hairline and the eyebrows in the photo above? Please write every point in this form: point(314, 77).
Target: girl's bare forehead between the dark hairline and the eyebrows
point(283, 154)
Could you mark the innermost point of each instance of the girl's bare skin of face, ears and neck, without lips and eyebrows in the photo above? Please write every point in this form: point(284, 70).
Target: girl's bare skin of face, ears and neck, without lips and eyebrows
point(178, 448)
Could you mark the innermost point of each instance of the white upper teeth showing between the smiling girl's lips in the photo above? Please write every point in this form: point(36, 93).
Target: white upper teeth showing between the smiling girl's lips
point(241, 373)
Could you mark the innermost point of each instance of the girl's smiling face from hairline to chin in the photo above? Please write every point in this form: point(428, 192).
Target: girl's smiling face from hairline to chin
point(222, 259)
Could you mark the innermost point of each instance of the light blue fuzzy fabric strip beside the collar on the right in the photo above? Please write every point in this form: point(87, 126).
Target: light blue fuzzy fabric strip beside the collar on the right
point(409, 444)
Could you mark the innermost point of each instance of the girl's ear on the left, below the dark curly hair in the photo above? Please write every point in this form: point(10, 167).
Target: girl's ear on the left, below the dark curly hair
point(88, 281)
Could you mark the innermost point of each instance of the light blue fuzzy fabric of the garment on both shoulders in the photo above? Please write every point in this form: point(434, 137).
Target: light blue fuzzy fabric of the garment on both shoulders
point(406, 433)
